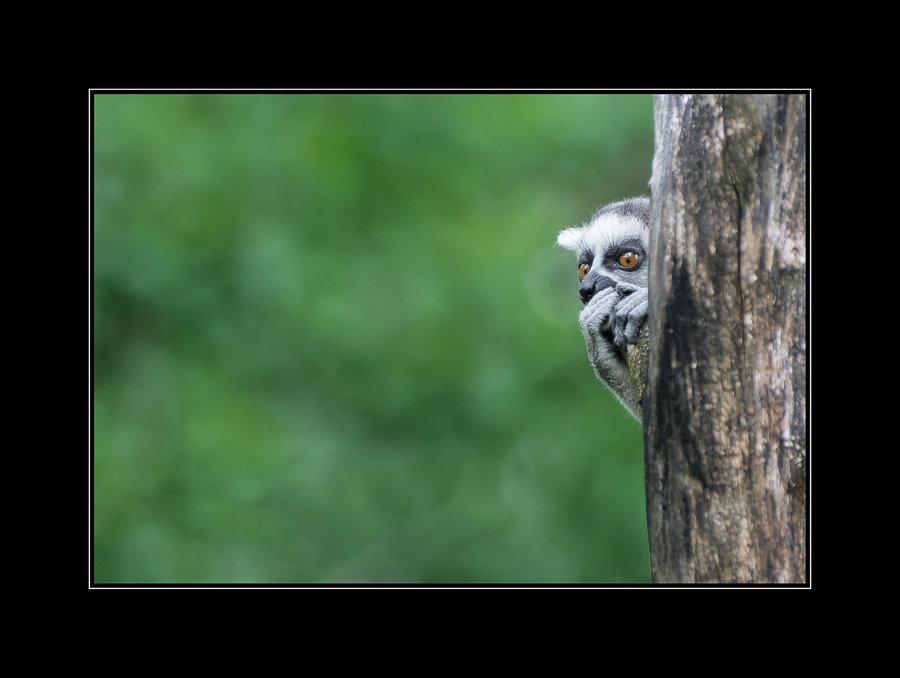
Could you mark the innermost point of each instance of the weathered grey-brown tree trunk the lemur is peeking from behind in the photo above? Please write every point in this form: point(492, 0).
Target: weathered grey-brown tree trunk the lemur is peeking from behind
point(725, 402)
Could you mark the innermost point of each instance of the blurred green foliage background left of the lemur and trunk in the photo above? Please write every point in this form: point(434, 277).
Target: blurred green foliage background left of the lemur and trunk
point(334, 341)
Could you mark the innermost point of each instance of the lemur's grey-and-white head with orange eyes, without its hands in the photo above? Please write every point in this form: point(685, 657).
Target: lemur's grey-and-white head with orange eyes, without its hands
point(612, 247)
